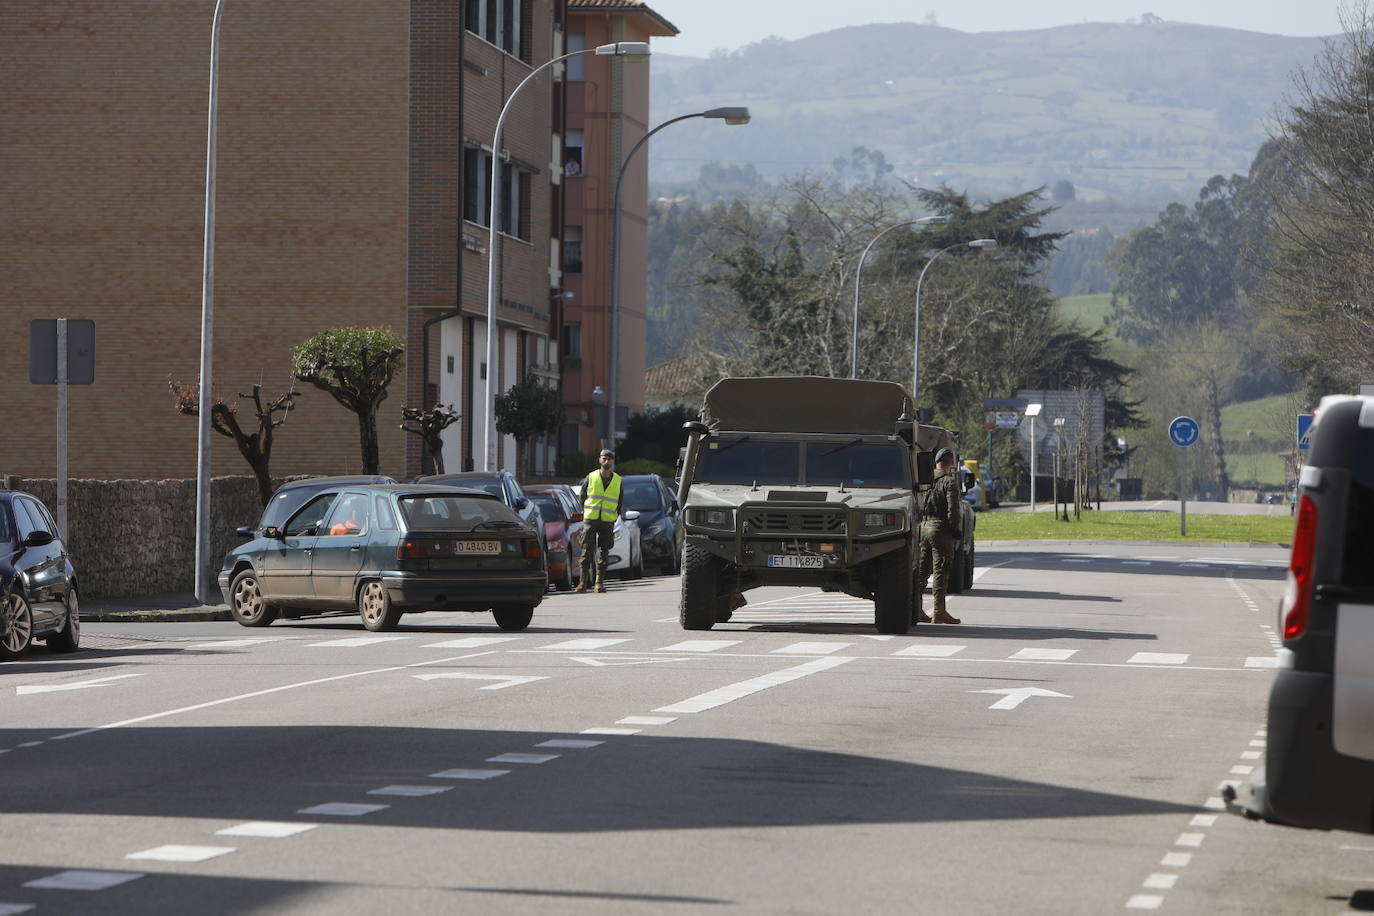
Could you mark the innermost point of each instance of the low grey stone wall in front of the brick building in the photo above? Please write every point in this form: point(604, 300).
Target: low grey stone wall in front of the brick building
point(135, 539)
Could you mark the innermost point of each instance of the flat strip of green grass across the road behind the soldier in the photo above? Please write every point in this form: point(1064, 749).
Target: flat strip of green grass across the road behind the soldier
point(1134, 527)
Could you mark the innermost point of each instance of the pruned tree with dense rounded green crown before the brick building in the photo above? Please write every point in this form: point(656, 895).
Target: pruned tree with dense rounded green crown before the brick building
point(355, 367)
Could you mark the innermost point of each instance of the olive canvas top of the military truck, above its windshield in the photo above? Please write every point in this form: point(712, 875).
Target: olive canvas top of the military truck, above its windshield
point(804, 404)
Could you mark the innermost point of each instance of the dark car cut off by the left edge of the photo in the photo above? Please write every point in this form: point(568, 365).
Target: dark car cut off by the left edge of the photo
point(38, 580)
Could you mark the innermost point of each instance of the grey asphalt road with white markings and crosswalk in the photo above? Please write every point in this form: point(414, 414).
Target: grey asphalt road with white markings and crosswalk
point(1060, 753)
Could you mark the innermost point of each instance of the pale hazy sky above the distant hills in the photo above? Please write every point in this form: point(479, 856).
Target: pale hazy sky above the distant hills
point(707, 25)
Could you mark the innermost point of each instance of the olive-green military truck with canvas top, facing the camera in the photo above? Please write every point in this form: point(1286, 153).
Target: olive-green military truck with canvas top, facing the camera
point(802, 481)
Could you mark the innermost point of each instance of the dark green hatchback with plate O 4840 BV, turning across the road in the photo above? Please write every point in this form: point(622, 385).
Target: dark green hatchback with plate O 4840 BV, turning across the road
point(390, 550)
